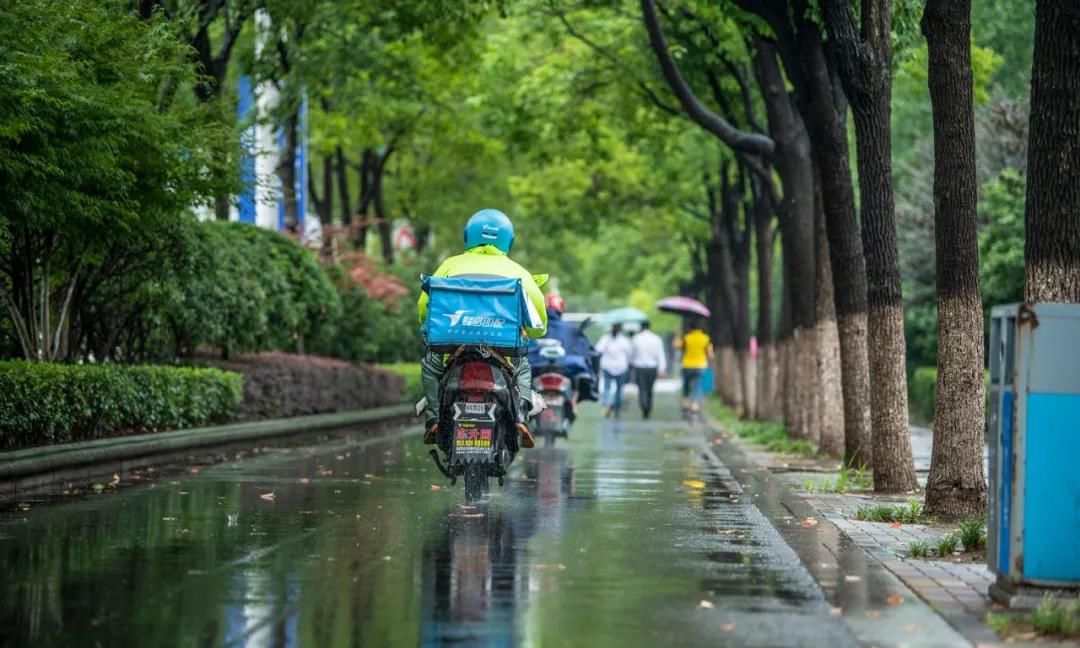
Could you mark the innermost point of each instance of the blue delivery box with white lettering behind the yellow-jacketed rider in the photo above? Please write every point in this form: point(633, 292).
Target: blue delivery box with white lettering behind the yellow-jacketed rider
point(467, 310)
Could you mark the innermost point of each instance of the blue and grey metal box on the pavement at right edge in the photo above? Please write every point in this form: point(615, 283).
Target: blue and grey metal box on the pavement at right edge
point(1034, 426)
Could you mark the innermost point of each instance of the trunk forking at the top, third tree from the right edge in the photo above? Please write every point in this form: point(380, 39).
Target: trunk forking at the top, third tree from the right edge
point(865, 57)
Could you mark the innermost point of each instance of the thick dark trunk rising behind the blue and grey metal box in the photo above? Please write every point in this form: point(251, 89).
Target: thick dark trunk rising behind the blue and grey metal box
point(1052, 249)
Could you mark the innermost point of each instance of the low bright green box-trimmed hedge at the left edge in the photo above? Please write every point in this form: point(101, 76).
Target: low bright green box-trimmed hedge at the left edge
point(56, 403)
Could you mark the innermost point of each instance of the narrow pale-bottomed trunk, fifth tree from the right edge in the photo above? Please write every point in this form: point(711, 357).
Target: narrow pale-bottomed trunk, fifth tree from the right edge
point(831, 395)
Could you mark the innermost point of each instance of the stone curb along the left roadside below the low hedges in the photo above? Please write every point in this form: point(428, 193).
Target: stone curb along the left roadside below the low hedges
point(19, 465)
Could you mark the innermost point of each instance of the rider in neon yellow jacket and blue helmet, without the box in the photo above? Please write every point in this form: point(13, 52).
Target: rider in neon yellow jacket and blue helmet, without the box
point(489, 238)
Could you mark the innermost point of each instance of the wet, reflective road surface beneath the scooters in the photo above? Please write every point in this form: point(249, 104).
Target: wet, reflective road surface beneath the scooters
point(630, 535)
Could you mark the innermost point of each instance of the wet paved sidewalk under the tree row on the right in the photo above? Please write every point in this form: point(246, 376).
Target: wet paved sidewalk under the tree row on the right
point(957, 591)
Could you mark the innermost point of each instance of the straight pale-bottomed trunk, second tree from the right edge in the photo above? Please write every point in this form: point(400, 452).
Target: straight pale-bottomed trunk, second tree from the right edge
point(956, 485)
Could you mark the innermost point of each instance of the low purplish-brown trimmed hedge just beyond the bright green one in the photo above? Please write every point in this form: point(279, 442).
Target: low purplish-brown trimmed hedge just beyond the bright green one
point(286, 385)
